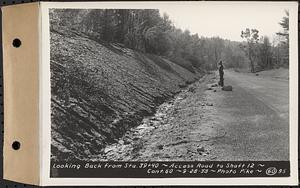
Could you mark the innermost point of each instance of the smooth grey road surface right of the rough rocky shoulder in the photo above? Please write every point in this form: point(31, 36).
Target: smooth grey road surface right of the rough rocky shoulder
point(256, 116)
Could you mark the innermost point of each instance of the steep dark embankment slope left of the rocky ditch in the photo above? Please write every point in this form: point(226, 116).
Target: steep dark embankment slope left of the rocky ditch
point(100, 91)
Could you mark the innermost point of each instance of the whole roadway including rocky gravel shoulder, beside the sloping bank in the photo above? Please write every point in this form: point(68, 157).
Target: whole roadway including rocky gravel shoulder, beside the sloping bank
point(206, 123)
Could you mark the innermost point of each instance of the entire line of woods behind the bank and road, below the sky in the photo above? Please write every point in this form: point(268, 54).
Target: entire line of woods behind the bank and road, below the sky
point(147, 31)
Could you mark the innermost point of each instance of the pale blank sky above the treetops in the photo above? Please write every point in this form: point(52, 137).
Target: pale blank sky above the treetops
point(227, 21)
